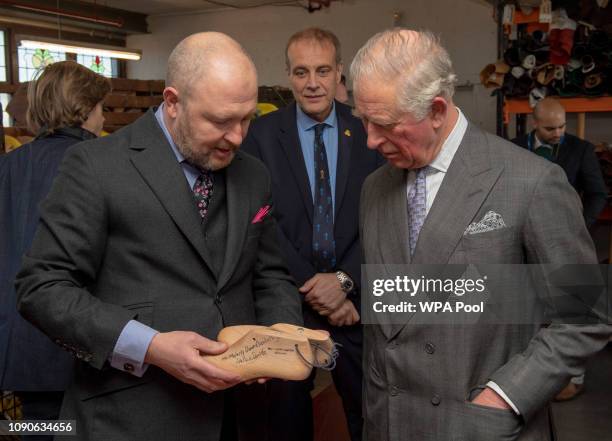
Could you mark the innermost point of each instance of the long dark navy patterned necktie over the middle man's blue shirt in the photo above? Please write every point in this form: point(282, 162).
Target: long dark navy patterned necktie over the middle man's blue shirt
point(323, 244)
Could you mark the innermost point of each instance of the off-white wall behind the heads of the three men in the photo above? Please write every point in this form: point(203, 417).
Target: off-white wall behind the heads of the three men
point(466, 27)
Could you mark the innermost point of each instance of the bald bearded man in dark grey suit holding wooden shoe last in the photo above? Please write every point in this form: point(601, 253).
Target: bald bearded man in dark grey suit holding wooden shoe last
point(150, 242)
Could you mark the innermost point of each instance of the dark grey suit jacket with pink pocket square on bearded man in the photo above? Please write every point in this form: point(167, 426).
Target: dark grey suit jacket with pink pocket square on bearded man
point(120, 238)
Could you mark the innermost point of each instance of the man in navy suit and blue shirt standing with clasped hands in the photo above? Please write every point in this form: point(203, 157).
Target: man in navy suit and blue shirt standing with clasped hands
point(316, 153)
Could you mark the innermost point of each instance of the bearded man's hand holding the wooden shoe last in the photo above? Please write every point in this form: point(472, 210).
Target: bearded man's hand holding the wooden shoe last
point(179, 353)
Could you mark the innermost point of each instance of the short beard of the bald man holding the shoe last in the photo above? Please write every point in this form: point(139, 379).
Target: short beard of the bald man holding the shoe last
point(202, 158)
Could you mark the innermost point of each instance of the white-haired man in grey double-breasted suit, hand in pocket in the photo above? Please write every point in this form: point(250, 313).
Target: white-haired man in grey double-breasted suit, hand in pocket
point(452, 193)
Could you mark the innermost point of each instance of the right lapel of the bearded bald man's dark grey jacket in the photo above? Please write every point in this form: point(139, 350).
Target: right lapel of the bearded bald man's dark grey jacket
point(238, 208)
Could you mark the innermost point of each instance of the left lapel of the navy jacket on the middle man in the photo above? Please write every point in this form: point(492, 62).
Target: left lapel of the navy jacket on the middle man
point(290, 142)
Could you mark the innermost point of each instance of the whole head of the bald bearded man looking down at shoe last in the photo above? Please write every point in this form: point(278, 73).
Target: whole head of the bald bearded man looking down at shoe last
point(209, 99)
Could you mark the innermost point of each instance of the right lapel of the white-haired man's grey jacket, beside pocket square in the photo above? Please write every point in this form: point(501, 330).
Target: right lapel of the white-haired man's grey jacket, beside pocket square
point(468, 181)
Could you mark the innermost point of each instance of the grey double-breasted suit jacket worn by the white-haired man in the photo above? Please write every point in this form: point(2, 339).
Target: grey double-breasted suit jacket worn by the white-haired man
point(419, 378)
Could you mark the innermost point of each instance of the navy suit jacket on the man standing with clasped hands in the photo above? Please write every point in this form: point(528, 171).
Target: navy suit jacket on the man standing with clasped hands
point(274, 139)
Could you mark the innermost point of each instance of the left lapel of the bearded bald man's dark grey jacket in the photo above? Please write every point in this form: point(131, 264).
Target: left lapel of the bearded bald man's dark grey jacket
point(152, 156)
